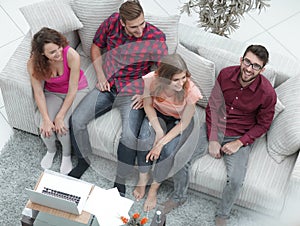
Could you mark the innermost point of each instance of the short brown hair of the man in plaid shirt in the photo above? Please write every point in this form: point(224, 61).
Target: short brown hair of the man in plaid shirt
point(130, 10)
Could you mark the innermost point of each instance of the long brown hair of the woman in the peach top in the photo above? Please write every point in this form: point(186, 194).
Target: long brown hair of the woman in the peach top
point(169, 66)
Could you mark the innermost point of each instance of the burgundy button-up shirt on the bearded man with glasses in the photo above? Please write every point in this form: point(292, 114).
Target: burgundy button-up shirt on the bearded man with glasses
point(236, 111)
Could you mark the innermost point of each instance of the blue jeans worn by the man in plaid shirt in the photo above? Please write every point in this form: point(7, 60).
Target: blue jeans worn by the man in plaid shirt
point(95, 104)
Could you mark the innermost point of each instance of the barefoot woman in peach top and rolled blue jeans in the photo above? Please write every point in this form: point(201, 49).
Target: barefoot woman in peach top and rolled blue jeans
point(169, 102)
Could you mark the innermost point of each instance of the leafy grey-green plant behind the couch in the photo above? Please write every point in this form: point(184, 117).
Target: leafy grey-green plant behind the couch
point(222, 17)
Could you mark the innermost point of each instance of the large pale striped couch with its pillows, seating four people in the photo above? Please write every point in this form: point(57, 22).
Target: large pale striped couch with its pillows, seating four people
point(274, 166)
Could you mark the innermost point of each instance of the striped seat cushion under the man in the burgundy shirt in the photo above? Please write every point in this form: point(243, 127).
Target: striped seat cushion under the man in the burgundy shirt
point(265, 183)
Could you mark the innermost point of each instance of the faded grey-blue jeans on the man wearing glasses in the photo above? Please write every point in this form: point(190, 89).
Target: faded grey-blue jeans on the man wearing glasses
point(236, 166)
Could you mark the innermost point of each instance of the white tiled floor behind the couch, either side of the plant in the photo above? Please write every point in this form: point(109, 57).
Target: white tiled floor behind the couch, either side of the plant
point(276, 27)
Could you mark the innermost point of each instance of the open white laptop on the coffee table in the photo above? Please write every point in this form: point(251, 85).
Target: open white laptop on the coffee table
point(60, 192)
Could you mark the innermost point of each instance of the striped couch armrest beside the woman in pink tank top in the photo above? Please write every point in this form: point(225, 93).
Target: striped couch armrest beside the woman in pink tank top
point(16, 89)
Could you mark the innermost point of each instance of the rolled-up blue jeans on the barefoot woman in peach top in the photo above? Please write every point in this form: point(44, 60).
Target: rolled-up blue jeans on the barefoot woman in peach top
point(166, 159)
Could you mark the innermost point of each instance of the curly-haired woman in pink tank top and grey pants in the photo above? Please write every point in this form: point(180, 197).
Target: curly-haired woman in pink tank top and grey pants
point(58, 86)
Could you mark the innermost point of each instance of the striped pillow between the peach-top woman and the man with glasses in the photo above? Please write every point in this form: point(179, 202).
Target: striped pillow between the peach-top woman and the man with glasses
point(202, 70)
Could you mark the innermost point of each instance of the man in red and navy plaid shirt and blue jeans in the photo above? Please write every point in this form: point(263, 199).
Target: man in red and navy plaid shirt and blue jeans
point(132, 47)
